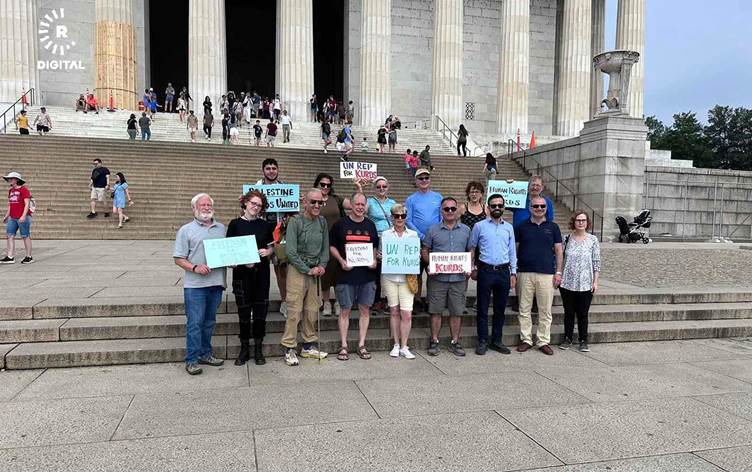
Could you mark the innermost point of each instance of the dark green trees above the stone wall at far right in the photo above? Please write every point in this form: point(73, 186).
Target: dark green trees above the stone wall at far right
point(725, 143)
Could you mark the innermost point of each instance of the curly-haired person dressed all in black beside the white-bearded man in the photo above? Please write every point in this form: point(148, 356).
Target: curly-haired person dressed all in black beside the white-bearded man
point(250, 283)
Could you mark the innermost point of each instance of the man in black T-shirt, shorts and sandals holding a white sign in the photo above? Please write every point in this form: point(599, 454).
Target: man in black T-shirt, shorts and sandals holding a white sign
point(352, 243)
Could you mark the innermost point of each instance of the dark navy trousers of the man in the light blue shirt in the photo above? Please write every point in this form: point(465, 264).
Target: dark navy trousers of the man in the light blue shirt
point(496, 282)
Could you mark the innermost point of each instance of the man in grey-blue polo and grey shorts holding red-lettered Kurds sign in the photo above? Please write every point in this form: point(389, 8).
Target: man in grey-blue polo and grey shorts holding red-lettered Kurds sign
point(447, 274)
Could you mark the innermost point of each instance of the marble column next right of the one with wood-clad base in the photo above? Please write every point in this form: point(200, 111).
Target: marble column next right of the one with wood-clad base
point(207, 52)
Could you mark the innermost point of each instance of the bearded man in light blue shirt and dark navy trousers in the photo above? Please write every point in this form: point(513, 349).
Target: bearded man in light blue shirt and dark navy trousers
point(493, 241)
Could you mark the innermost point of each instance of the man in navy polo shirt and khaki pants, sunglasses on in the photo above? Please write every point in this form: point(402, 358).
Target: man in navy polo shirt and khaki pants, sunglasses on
point(538, 240)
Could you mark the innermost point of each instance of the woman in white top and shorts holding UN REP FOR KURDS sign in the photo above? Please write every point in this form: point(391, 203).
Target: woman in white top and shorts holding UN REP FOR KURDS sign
point(395, 286)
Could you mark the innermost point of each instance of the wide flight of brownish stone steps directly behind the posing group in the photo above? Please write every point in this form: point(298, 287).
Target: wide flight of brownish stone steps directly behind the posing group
point(164, 176)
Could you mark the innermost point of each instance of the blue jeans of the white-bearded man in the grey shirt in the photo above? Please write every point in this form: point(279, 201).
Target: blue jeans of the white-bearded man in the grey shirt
point(201, 314)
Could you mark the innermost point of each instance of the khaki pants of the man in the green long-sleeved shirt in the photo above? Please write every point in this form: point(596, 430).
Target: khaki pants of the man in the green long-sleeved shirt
point(302, 297)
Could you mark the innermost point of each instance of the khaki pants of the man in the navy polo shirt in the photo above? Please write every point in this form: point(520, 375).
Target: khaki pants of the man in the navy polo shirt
point(539, 286)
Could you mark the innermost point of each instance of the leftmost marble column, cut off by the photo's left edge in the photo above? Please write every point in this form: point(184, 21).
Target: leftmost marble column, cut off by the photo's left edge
point(18, 49)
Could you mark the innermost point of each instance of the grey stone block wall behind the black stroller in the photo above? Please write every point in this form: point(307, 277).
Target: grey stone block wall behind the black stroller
point(699, 203)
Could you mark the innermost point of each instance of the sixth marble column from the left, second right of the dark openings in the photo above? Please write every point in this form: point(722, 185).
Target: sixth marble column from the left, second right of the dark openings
point(446, 94)
